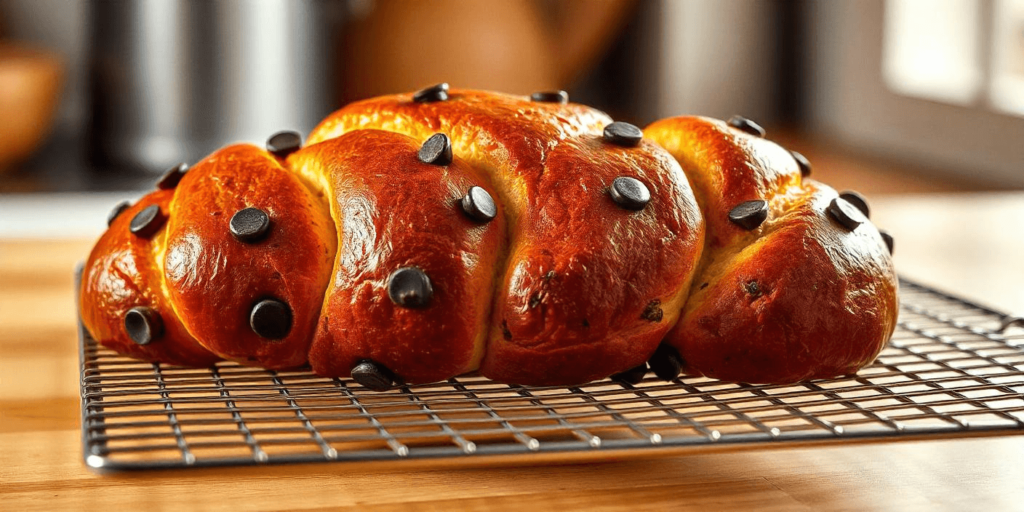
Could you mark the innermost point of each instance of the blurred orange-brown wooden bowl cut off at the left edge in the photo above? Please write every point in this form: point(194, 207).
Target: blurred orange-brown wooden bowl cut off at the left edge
point(30, 89)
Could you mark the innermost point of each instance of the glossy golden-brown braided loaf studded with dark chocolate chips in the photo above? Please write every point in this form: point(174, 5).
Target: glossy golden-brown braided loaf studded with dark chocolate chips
point(417, 238)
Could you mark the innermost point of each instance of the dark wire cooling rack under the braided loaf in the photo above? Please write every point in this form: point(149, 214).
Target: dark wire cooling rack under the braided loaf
point(953, 368)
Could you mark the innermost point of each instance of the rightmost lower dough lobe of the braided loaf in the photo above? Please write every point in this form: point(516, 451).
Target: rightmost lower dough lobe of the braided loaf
point(808, 301)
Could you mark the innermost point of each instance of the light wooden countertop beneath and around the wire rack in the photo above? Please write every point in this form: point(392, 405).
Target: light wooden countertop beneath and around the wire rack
point(959, 243)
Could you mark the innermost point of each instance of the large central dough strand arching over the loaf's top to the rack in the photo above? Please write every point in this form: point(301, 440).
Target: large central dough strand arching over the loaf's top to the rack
point(581, 273)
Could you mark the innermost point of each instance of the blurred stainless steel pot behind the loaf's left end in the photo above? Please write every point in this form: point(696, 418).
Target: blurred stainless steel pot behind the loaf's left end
point(174, 80)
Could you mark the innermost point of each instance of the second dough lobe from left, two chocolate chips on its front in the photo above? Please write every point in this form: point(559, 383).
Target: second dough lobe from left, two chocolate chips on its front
point(215, 280)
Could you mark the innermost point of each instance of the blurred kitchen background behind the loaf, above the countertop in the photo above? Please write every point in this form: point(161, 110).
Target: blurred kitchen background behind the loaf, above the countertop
point(887, 97)
